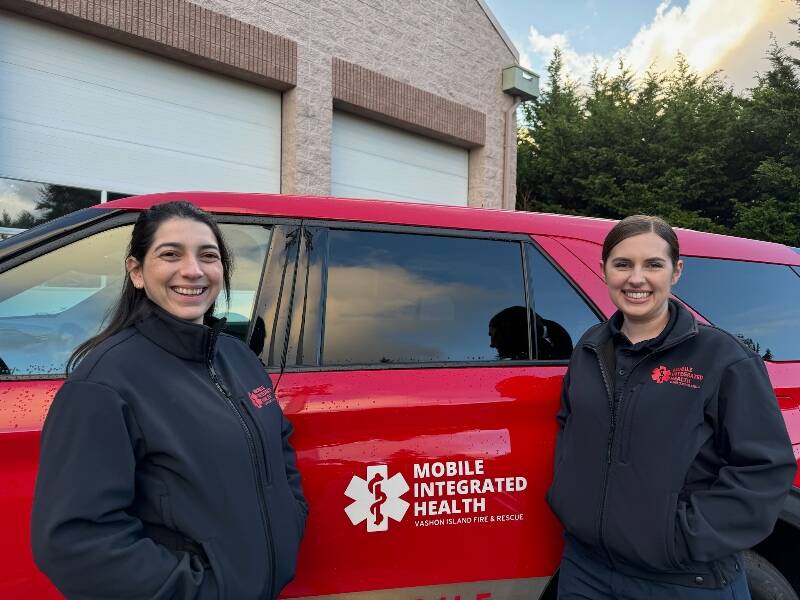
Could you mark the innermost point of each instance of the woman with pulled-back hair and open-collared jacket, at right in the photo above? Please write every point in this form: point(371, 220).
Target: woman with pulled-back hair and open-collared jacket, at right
point(672, 456)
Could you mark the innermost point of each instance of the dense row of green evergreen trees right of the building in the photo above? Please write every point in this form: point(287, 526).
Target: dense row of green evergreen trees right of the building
point(673, 143)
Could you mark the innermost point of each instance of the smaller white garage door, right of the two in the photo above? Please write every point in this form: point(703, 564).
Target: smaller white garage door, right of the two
point(372, 160)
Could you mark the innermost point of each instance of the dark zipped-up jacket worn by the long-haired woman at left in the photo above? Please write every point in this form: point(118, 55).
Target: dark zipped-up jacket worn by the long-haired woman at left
point(166, 471)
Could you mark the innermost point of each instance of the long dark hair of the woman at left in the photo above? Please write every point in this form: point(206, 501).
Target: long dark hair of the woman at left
point(133, 304)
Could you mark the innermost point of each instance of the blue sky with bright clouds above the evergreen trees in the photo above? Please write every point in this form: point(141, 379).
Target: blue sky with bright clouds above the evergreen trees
point(728, 35)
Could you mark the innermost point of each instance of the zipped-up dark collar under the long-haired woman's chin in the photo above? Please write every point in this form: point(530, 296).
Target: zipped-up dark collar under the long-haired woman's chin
point(184, 339)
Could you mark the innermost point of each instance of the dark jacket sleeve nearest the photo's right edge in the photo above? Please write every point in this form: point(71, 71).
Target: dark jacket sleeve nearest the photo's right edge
point(740, 509)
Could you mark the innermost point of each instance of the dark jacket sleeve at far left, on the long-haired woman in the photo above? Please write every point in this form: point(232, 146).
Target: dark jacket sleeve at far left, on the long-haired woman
point(82, 536)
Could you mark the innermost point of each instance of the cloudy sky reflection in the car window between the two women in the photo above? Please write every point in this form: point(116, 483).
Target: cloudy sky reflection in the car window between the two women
point(408, 298)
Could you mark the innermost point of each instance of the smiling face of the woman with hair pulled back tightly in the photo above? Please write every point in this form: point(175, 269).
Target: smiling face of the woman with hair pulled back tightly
point(639, 274)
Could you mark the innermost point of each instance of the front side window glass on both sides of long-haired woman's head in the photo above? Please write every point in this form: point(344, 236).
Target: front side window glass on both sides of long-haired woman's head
point(51, 304)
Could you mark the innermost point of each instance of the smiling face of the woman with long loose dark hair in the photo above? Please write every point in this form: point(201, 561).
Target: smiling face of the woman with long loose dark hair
point(182, 271)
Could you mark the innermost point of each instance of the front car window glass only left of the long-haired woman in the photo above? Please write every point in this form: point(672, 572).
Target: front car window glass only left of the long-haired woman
point(54, 302)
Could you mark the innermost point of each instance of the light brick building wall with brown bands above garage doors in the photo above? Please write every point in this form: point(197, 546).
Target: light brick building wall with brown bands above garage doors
point(429, 66)
